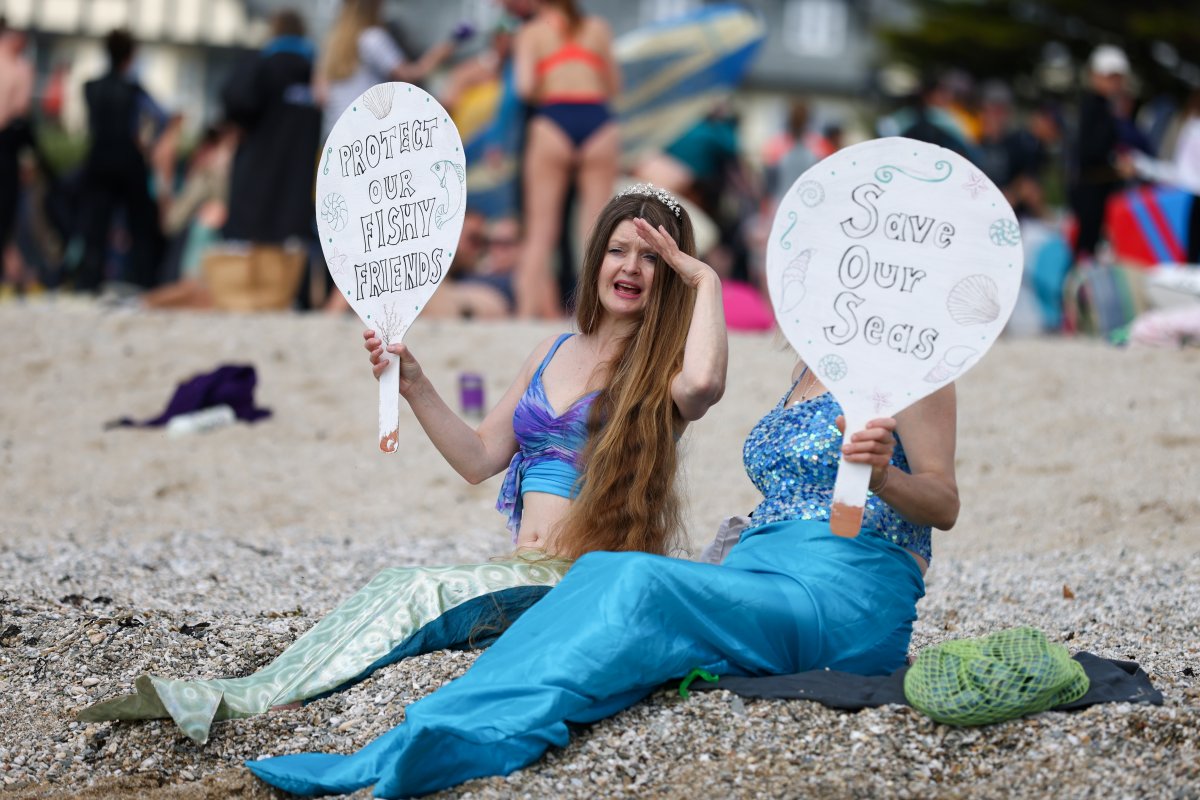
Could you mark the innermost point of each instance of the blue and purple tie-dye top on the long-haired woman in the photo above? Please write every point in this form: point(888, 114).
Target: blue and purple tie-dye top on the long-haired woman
point(549, 446)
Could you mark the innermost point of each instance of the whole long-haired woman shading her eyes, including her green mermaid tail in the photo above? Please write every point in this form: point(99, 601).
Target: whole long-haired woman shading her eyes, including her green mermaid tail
point(589, 434)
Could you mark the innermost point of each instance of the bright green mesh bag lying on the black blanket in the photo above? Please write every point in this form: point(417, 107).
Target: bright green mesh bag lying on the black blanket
point(993, 678)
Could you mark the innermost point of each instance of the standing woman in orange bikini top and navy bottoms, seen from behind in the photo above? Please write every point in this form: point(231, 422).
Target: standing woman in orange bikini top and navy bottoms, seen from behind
point(566, 69)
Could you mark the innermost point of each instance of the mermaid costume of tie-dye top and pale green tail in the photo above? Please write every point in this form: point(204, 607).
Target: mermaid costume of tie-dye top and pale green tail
point(403, 611)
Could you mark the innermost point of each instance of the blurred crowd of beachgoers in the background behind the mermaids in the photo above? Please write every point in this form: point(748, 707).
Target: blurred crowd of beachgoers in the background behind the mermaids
point(153, 218)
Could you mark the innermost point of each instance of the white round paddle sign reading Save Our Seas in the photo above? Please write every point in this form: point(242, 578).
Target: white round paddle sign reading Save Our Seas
point(893, 266)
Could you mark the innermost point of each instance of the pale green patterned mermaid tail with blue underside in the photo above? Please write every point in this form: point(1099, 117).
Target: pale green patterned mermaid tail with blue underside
point(403, 612)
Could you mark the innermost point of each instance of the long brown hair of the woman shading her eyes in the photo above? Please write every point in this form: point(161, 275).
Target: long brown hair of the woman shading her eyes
point(628, 500)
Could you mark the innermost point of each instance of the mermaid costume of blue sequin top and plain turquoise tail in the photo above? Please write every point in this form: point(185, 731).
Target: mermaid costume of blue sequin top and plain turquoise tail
point(789, 598)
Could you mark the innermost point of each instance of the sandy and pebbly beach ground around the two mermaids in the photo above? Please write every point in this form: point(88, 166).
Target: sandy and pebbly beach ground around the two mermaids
point(127, 552)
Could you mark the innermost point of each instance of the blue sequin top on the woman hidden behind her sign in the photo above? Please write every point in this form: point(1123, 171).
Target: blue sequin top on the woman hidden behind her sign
point(791, 456)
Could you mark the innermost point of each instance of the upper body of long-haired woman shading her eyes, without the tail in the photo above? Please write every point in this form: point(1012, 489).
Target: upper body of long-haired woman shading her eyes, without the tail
point(644, 365)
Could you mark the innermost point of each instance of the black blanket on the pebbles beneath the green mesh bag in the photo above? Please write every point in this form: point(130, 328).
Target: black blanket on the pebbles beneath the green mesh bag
point(1111, 682)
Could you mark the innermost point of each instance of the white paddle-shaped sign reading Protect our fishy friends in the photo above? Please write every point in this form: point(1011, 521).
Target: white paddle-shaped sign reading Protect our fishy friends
point(392, 197)
